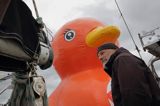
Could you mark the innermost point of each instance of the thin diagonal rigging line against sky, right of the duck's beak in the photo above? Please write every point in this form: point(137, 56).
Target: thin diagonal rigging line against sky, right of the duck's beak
point(128, 28)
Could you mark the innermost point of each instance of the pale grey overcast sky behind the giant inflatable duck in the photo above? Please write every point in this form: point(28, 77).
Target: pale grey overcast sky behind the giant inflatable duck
point(140, 15)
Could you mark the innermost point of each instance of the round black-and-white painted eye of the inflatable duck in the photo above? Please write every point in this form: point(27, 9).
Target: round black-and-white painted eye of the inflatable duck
point(69, 35)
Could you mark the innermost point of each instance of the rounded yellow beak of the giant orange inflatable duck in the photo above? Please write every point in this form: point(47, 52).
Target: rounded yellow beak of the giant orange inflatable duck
point(101, 35)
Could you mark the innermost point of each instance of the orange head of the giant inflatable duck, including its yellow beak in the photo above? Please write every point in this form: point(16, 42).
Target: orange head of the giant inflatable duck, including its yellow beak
point(75, 44)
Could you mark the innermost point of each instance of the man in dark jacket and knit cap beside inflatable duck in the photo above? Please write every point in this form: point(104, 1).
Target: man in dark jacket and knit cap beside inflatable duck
point(132, 82)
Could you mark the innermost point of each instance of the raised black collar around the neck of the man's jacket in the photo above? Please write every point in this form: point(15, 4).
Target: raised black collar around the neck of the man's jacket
point(108, 65)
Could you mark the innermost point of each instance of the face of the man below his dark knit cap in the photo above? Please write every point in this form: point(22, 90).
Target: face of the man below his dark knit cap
point(105, 54)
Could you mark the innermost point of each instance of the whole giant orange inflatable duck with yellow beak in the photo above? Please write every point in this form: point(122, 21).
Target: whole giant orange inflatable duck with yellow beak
point(83, 80)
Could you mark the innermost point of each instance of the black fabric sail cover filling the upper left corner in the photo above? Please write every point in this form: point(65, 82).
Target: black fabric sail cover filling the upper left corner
point(19, 41)
